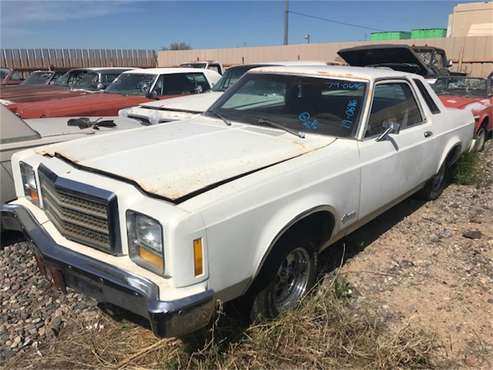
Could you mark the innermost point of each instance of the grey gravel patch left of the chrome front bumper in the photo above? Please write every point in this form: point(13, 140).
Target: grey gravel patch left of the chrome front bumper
point(31, 312)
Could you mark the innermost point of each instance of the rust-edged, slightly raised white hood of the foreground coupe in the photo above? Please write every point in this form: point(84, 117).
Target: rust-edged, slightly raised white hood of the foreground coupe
point(178, 160)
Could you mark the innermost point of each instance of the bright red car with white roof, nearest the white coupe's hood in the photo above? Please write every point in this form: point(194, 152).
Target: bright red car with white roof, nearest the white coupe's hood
point(129, 89)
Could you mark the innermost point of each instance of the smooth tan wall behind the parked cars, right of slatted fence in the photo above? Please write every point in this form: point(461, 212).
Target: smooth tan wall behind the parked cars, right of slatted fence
point(473, 55)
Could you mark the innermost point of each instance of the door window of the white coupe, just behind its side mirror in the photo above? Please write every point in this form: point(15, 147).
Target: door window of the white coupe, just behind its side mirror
point(392, 103)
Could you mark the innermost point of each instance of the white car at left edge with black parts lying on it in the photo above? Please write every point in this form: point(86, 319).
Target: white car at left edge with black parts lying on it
point(18, 134)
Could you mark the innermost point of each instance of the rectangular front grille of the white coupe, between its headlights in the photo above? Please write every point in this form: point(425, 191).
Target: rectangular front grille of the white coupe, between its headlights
point(77, 216)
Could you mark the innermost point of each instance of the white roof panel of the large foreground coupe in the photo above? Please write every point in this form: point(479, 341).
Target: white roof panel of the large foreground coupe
point(345, 72)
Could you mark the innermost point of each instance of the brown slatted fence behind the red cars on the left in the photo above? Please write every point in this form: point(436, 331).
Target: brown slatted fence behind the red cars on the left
point(34, 59)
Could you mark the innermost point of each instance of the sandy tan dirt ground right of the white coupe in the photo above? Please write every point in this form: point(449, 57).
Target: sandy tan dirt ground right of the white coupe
point(431, 265)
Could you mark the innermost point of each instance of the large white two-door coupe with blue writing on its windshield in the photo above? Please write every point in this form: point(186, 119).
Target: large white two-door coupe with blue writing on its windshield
point(237, 202)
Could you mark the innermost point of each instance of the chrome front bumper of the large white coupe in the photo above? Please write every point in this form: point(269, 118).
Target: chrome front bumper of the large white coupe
point(109, 284)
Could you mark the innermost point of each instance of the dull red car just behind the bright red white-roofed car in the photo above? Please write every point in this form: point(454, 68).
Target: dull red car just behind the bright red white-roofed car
point(76, 82)
